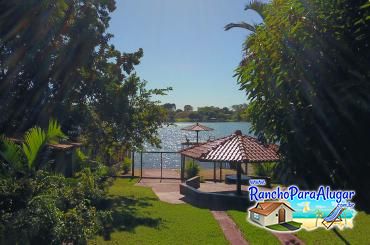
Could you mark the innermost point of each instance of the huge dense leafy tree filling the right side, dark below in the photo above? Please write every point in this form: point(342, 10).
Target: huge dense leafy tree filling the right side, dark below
point(307, 79)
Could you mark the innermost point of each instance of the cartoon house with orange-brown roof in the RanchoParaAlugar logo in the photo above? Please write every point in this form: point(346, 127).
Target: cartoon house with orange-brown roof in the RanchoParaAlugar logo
point(271, 213)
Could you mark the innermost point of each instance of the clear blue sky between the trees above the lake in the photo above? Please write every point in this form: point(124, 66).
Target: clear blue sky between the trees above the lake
point(185, 47)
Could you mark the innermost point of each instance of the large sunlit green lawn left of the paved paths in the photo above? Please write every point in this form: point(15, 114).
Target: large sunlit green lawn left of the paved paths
point(140, 218)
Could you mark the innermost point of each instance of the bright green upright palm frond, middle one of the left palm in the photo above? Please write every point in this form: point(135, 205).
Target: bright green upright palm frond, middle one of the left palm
point(34, 140)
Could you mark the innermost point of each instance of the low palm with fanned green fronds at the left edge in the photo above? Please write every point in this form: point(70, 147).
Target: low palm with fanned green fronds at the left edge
point(35, 140)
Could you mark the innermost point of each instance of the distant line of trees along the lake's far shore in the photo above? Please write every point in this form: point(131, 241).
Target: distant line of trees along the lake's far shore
point(206, 114)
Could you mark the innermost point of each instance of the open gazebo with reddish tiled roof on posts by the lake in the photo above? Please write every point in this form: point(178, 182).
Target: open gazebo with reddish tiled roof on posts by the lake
point(236, 148)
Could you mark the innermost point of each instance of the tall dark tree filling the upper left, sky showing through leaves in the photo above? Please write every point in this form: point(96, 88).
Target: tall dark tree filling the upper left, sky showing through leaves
point(56, 61)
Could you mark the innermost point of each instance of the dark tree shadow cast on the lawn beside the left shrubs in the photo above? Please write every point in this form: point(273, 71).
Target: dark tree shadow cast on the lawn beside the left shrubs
point(126, 215)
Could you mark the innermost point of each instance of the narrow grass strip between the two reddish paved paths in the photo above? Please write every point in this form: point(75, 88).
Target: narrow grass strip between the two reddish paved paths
point(252, 233)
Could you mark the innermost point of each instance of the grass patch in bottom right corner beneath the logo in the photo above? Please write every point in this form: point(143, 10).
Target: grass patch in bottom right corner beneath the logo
point(360, 234)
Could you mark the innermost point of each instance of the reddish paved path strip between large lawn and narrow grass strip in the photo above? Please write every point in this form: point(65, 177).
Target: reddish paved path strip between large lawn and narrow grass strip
point(230, 229)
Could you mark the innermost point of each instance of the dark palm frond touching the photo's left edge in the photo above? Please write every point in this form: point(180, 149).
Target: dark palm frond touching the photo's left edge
point(10, 152)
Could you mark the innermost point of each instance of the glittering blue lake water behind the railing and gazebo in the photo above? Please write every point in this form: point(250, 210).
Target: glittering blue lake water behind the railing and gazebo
point(172, 136)
